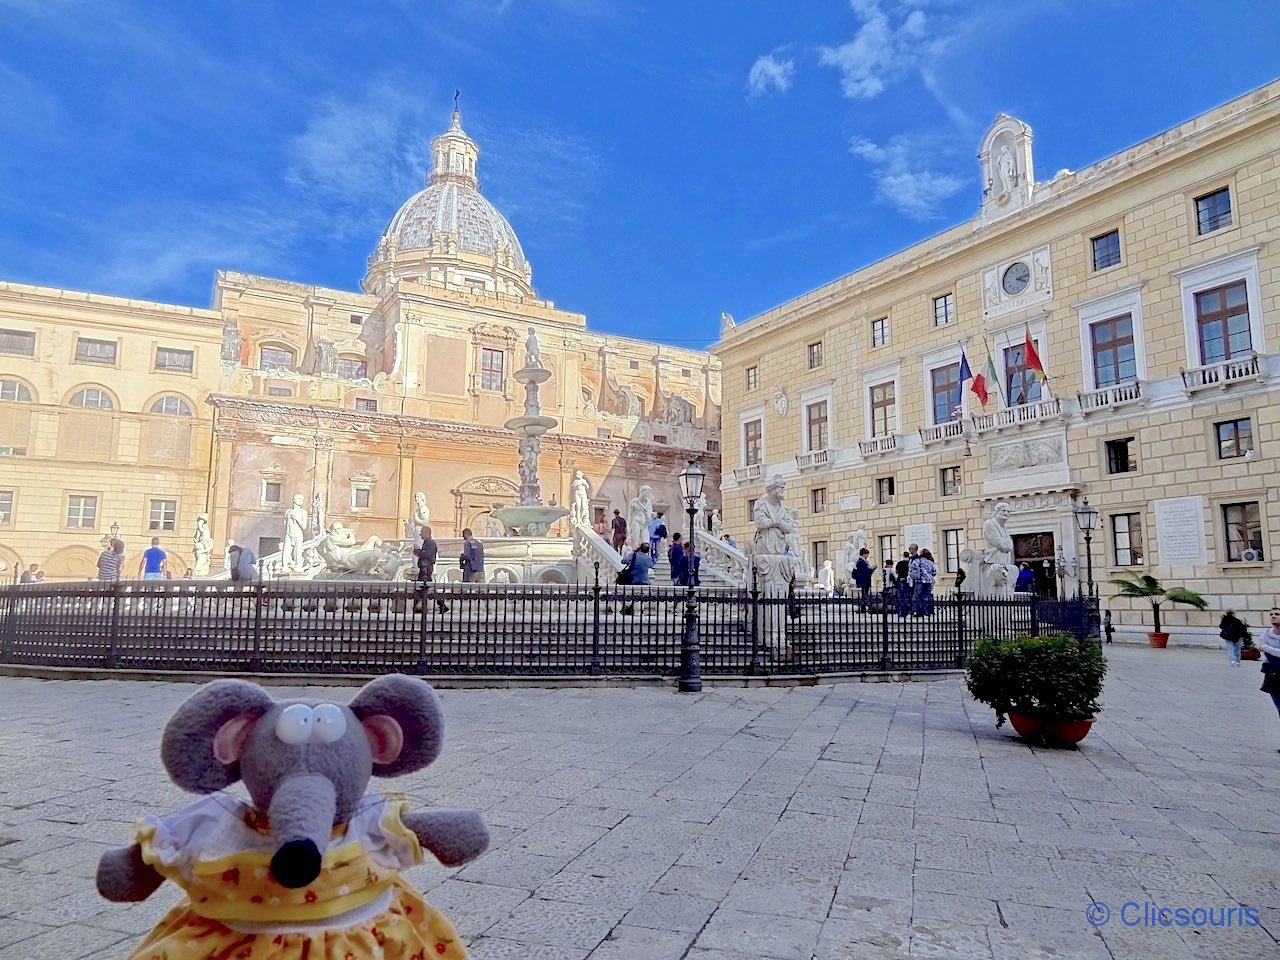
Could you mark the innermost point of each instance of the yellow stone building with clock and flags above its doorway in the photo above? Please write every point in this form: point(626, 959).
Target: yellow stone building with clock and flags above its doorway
point(1148, 285)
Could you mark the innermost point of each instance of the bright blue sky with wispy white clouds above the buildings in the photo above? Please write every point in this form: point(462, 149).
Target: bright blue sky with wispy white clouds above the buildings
point(661, 162)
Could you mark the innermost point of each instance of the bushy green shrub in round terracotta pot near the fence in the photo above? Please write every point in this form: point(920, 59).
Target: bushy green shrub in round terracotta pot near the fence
point(1048, 687)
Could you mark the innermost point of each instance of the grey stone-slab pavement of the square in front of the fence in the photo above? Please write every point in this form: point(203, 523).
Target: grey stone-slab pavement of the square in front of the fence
point(867, 821)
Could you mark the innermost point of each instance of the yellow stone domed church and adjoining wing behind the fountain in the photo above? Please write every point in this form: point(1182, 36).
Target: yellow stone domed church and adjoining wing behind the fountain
point(147, 415)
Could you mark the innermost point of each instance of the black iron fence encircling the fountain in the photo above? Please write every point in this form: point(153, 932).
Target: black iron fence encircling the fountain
point(492, 629)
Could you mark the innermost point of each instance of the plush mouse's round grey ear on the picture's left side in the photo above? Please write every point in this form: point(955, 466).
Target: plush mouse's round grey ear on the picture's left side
point(203, 742)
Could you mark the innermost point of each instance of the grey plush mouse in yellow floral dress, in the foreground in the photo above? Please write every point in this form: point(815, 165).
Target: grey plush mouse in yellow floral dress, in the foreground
point(309, 870)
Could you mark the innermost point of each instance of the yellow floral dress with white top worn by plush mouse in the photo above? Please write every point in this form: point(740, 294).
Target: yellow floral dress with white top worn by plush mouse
point(220, 852)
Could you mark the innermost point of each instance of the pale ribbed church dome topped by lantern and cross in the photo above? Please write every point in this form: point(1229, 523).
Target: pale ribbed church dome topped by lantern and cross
point(450, 234)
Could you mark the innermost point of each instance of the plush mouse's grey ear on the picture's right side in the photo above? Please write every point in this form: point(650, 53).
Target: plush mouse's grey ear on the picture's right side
point(406, 710)
